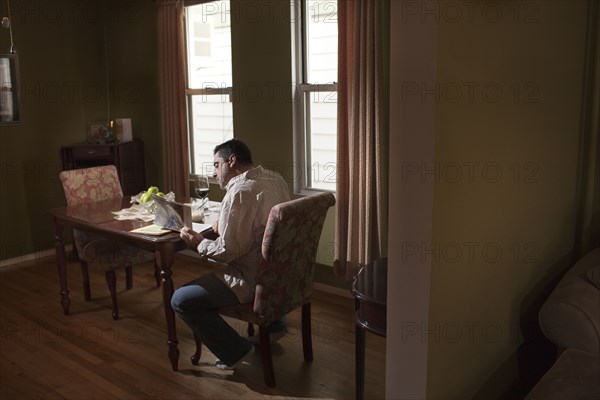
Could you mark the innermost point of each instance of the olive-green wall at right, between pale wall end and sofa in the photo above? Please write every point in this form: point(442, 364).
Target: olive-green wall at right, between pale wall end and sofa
point(505, 196)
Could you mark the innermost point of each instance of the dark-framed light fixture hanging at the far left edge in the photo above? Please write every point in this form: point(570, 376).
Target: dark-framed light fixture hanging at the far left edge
point(10, 99)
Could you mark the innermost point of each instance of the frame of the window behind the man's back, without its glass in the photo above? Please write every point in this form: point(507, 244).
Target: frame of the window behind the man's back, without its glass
point(301, 91)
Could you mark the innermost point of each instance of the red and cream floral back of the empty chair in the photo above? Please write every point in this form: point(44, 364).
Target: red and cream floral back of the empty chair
point(91, 184)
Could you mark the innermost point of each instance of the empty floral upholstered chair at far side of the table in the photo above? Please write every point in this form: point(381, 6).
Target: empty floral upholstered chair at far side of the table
point(95, 184)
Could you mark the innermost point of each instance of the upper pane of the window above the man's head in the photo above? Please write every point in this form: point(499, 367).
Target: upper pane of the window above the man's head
point(209, 45)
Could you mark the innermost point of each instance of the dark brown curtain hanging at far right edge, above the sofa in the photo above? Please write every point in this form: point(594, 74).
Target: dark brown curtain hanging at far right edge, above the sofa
point(588, 231)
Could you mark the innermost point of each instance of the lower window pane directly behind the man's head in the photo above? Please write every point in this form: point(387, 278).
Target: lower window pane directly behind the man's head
point(211, 124)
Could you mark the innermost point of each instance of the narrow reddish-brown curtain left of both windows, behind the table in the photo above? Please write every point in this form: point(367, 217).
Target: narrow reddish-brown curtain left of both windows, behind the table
point(172, 97)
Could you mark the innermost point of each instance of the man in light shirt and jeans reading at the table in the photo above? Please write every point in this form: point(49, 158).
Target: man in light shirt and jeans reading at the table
point(251, 192)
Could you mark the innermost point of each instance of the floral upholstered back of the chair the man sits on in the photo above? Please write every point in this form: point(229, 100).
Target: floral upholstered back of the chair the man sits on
point(289, 251)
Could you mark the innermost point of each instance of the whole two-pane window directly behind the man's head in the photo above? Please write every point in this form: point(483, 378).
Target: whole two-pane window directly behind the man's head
point(209, 81)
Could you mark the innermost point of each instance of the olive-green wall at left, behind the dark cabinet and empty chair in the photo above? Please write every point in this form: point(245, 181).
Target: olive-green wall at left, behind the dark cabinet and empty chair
point(63, 67)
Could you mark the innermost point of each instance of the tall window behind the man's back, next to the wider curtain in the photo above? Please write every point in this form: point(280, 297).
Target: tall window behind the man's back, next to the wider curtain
point(315, 114)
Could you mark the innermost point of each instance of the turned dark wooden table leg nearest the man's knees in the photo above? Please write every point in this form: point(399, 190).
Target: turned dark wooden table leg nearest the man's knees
point(165, 258)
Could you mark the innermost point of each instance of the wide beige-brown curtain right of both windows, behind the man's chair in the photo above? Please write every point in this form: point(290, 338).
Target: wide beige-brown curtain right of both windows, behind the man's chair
point(361, 219)
